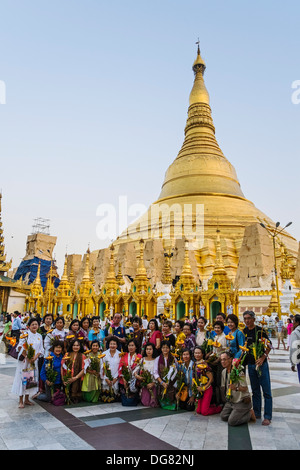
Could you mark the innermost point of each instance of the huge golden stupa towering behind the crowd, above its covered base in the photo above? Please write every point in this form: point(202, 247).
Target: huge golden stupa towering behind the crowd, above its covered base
point(201, 191)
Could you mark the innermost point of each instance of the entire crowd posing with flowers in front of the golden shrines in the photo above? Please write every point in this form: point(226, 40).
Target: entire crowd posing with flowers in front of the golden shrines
point(190, 365)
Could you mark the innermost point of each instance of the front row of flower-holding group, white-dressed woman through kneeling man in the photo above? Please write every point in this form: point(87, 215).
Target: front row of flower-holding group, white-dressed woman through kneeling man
point(154, 378)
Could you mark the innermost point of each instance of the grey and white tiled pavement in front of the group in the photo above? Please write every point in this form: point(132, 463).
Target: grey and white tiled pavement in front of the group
point(112, 426)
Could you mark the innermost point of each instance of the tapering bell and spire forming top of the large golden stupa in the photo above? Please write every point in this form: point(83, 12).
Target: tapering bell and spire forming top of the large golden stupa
point(200, 168)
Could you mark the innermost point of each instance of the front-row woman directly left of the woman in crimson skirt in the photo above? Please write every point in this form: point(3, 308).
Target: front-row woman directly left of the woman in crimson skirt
point(184, 395)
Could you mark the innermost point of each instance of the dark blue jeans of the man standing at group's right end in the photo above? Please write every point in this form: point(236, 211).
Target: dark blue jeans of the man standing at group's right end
point(263, 382)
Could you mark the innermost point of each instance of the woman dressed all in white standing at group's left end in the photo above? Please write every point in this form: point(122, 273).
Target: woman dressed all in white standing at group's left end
point(25, 383)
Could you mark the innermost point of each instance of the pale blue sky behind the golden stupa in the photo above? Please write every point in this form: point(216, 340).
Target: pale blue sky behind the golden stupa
point(97, 97)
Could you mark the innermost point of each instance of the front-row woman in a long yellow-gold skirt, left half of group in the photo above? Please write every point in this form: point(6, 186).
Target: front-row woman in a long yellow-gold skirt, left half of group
point(91, 385)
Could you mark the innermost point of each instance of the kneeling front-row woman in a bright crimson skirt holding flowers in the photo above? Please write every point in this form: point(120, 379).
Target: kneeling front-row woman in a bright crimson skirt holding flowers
point(203, 372)
